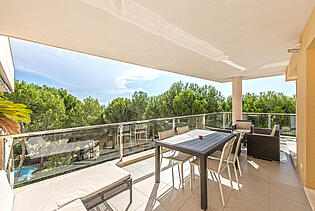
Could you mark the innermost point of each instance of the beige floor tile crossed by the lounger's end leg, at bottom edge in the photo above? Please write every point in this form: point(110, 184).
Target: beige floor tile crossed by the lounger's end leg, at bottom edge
point(121, 201)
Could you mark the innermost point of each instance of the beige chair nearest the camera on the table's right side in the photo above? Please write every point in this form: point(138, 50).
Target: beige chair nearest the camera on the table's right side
point(216, 166)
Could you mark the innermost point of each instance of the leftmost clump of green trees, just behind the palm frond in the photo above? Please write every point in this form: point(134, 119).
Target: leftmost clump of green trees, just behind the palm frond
point(54, 108)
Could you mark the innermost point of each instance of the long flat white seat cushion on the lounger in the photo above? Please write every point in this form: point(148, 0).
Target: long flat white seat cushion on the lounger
point(57, 192)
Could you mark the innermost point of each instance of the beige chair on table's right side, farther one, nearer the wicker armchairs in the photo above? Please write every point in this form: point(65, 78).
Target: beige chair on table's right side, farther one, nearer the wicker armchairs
point(234, 160)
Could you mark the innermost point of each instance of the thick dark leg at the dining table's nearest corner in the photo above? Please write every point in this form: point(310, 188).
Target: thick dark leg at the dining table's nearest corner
point(203, 182)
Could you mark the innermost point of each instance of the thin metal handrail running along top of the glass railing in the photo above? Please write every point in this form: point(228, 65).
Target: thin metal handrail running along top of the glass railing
point(38, 133)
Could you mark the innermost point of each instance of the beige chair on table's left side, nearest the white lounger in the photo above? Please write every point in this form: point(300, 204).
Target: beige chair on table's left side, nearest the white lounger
point(175, 157)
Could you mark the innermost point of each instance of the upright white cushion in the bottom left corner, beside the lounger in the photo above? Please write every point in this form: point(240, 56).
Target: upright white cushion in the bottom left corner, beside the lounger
point(6, 193)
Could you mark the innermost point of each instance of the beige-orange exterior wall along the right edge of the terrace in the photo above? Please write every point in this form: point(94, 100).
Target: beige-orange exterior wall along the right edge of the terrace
point(302, 67)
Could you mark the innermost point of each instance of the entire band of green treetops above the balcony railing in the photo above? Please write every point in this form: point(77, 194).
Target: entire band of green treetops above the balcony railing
point(55, 108)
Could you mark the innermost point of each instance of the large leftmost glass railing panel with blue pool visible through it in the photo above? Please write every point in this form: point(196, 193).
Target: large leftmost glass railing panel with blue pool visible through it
point(51, 155)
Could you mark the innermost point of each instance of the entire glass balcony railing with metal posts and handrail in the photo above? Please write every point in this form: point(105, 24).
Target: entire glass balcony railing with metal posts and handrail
point(45, 154)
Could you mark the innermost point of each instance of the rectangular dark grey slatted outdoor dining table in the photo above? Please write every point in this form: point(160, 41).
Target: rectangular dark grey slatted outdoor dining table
point(199, 143)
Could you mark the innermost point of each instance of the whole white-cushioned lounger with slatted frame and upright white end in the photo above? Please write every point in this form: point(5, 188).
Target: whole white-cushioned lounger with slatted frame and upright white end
point(80, 190)
